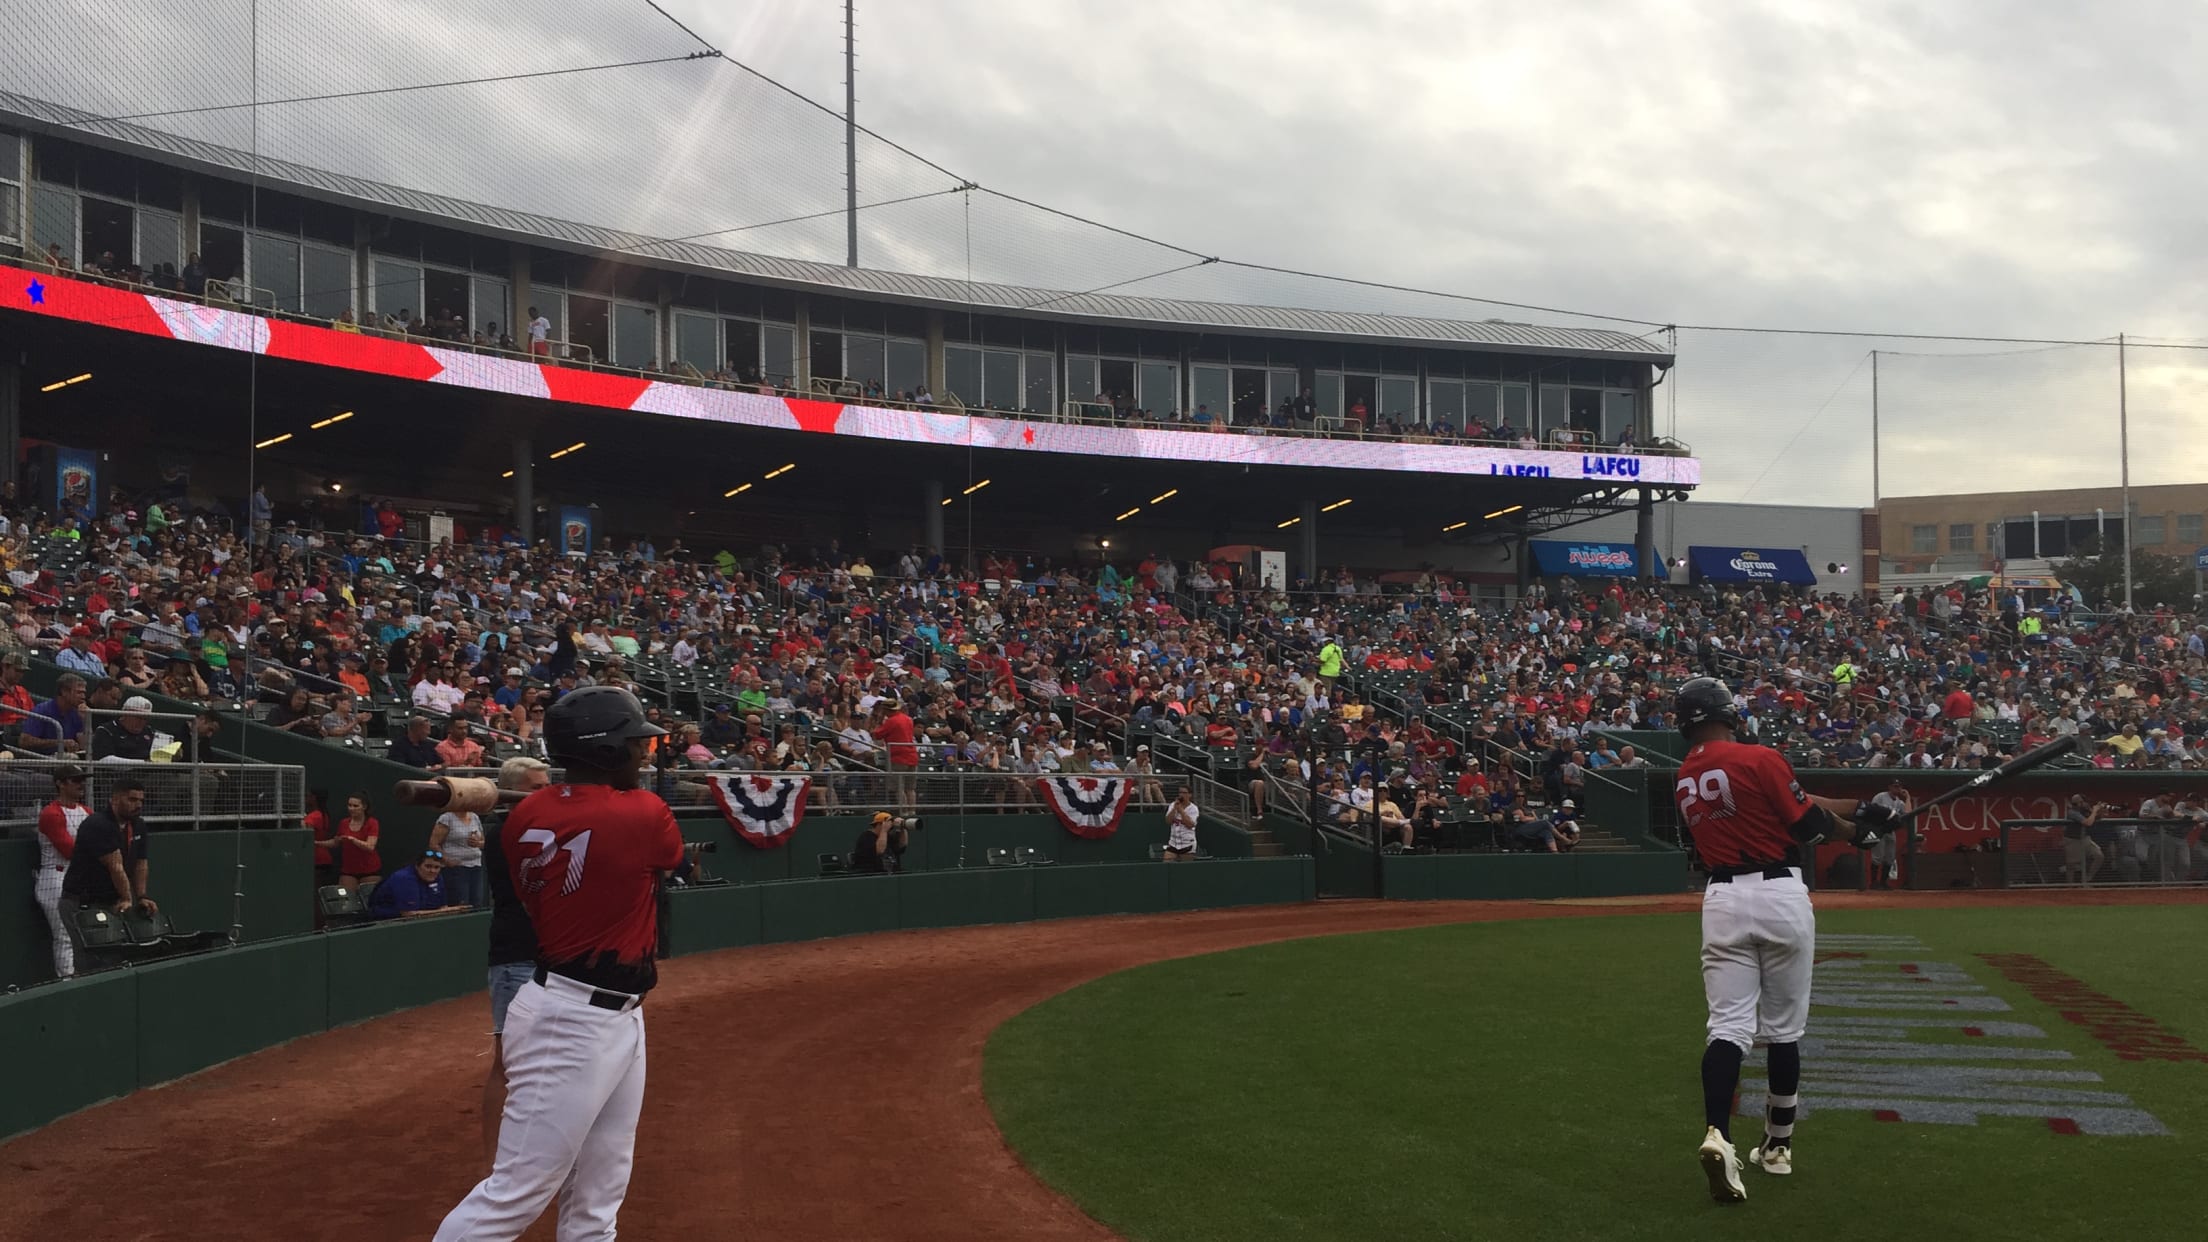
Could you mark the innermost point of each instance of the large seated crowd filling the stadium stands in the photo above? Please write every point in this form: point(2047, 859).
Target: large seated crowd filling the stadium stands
point(1421, 708)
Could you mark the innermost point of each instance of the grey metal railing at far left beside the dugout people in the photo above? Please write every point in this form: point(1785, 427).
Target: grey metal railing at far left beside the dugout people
point(178, 794)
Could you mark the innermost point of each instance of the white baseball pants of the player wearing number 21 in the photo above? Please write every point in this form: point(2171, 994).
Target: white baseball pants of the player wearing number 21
point(575, 1084)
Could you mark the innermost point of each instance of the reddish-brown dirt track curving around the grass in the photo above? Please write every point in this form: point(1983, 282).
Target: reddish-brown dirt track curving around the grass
point(809, 1091)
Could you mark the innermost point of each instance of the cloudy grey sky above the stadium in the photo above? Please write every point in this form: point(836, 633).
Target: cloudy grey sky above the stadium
point(1988, 169)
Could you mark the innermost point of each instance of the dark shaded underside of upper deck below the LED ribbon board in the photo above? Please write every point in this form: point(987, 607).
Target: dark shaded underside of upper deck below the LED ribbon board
point(158, 399)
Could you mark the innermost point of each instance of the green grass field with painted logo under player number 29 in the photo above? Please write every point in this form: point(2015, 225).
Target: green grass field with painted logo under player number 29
point(1540, 1082)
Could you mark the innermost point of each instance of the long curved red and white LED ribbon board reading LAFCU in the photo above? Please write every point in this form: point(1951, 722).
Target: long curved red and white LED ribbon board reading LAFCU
point(171, 319)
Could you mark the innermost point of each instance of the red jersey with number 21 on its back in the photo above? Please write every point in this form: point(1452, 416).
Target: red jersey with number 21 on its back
point(586, 865)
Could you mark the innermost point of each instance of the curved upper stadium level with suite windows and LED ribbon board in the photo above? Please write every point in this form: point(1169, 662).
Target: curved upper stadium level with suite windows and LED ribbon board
point(315, 253)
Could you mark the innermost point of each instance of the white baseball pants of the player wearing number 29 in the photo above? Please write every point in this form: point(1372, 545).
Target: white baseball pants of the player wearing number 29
point(1759, 947)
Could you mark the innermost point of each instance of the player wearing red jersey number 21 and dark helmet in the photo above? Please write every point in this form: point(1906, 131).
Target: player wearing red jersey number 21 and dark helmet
point(586, 861)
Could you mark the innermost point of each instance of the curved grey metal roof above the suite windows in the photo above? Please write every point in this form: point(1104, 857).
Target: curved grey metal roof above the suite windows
point(595, 242)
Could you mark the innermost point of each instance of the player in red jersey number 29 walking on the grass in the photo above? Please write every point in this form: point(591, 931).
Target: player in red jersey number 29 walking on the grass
point(1752, 823)
